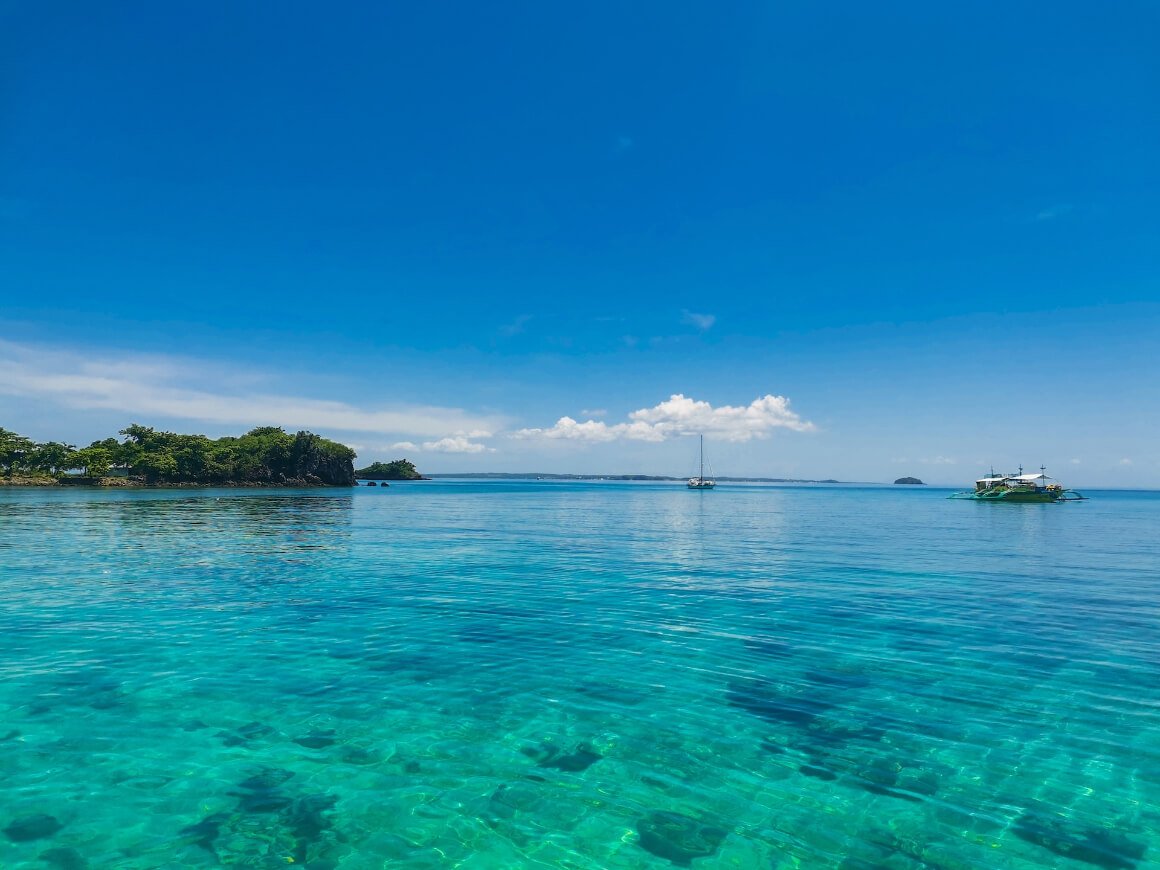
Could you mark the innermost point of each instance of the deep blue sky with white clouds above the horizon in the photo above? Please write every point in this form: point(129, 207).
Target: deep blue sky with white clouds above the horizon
point(929, 233)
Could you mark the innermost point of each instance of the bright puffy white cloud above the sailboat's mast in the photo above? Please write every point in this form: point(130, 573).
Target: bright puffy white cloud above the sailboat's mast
point(680, 416)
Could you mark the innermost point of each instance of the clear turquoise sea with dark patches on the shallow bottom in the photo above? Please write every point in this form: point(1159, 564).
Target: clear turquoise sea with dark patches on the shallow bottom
point(578, 676)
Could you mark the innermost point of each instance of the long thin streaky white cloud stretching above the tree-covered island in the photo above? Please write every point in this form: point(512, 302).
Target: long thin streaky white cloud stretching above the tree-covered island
point(199, 390)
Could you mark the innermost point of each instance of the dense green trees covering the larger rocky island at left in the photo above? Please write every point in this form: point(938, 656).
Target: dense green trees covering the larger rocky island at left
point(264, 455)
